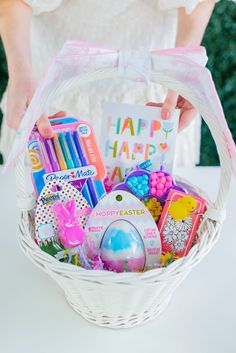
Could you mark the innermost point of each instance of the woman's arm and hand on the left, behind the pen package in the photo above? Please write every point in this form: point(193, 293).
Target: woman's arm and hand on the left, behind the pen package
point(15, 17)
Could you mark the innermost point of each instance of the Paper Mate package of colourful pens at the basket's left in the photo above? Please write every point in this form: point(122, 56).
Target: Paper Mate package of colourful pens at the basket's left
point(71, 155)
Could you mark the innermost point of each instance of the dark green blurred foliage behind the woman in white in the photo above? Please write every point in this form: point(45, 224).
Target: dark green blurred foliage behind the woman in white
point(220, 41)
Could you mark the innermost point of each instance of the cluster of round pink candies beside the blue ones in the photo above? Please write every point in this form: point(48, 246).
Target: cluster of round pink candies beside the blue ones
point(160, 183)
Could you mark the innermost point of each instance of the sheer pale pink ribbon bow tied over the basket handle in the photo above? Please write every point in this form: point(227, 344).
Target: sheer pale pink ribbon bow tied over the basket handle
point(76, 58)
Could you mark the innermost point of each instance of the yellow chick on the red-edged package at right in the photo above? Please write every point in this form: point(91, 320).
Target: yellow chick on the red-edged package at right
point(182, 208)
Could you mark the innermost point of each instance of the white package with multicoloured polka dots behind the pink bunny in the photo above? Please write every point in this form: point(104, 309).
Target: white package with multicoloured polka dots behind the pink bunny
point(56, 191)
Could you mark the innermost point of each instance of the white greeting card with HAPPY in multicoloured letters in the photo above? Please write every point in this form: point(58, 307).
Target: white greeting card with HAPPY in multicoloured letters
point(132, 134)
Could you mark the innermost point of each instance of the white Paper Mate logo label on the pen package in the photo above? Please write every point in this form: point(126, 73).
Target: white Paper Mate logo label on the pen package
point(71, 174)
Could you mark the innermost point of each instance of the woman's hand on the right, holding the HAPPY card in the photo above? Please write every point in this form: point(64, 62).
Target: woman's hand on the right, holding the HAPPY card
point(173, 101)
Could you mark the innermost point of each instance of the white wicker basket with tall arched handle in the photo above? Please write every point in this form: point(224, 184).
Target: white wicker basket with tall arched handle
point(126, 299)
